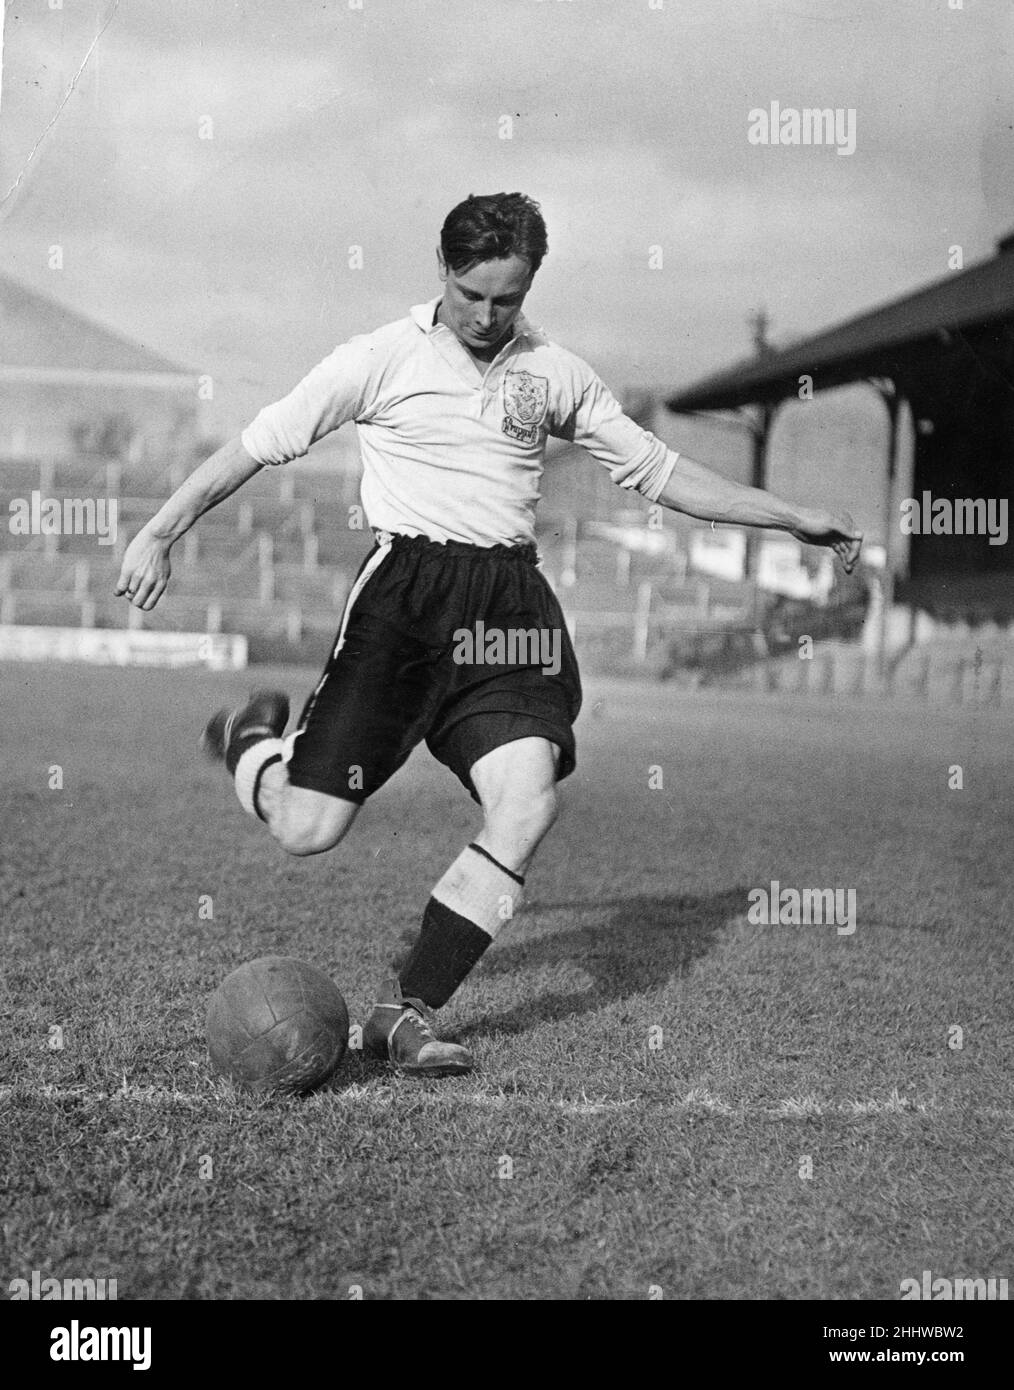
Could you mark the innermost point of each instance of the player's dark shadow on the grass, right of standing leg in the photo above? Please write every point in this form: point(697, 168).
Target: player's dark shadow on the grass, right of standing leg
point(628, 946)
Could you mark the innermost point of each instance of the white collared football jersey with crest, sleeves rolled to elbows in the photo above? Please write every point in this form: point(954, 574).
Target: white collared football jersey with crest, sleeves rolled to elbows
point(451, 451)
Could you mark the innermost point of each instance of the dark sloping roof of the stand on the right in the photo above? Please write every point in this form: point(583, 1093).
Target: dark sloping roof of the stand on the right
point(871, 345)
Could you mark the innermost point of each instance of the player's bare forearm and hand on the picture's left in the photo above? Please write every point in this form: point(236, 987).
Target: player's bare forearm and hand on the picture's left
point(147, 565)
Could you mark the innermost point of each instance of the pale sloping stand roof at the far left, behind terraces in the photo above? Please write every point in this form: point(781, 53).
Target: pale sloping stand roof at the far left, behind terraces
point(40, 334)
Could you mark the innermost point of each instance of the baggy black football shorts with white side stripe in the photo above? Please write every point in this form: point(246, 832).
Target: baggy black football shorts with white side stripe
point(461, 646)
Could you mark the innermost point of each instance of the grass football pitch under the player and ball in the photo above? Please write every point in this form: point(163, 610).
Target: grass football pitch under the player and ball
point(671, 1102)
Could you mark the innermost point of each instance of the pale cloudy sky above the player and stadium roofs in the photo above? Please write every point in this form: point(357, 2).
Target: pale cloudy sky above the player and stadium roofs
point(207, 166)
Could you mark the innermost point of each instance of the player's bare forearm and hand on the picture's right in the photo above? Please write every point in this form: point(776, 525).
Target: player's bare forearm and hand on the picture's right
point(702, 493)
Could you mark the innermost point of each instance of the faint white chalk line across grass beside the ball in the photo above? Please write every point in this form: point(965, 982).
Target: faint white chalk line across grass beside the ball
point(698, 1100)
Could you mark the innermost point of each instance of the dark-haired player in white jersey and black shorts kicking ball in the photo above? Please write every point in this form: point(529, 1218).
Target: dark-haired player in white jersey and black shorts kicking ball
point(454, 407)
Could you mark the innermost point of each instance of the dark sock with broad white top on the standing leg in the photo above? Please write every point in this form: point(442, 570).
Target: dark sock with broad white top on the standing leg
point(469, 906)
